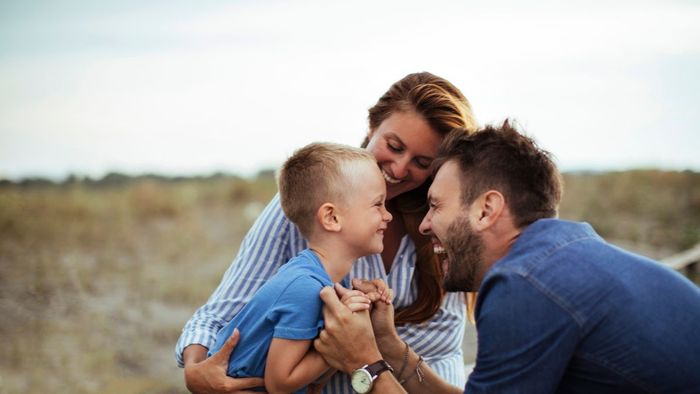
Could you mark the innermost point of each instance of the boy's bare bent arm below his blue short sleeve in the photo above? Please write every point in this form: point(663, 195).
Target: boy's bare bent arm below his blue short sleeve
point(291, 365)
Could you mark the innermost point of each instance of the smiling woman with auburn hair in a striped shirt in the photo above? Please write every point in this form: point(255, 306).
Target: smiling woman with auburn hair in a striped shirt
point(406, 125)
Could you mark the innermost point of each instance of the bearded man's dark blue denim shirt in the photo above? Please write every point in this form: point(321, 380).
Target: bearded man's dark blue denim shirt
point(566, 312)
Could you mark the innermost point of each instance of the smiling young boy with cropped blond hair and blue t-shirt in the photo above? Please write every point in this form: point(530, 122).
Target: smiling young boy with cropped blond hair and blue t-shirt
point(335, 195)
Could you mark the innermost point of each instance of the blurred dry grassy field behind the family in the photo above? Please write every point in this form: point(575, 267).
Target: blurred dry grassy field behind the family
point(97, 278)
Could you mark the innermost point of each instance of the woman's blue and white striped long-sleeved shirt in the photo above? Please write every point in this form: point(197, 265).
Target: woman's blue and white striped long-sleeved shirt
point(272, 241)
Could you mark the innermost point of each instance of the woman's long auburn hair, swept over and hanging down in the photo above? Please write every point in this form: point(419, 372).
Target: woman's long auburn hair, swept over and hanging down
point(445, 108)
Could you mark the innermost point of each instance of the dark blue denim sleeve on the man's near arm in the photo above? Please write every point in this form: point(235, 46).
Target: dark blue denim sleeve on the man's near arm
point(526, 338)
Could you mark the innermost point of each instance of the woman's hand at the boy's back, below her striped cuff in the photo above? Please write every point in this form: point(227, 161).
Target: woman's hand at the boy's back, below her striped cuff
point(208, 375)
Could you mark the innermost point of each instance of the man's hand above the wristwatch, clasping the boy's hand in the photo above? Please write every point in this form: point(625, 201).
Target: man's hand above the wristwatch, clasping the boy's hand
point(347, 341)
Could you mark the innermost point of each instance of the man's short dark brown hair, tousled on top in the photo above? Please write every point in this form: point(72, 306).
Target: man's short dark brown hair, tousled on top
point(501, 158)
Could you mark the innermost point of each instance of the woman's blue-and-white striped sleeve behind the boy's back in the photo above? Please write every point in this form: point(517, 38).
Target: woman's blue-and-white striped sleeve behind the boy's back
point(263, 250)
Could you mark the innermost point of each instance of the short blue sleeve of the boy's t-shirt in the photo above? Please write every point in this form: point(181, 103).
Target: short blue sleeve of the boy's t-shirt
point(297, 312)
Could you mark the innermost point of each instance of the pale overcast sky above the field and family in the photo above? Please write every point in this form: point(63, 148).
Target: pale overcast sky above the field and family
point(191, 88)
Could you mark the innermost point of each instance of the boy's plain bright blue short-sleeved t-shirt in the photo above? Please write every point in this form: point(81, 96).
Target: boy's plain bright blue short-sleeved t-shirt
point(287, 306)
